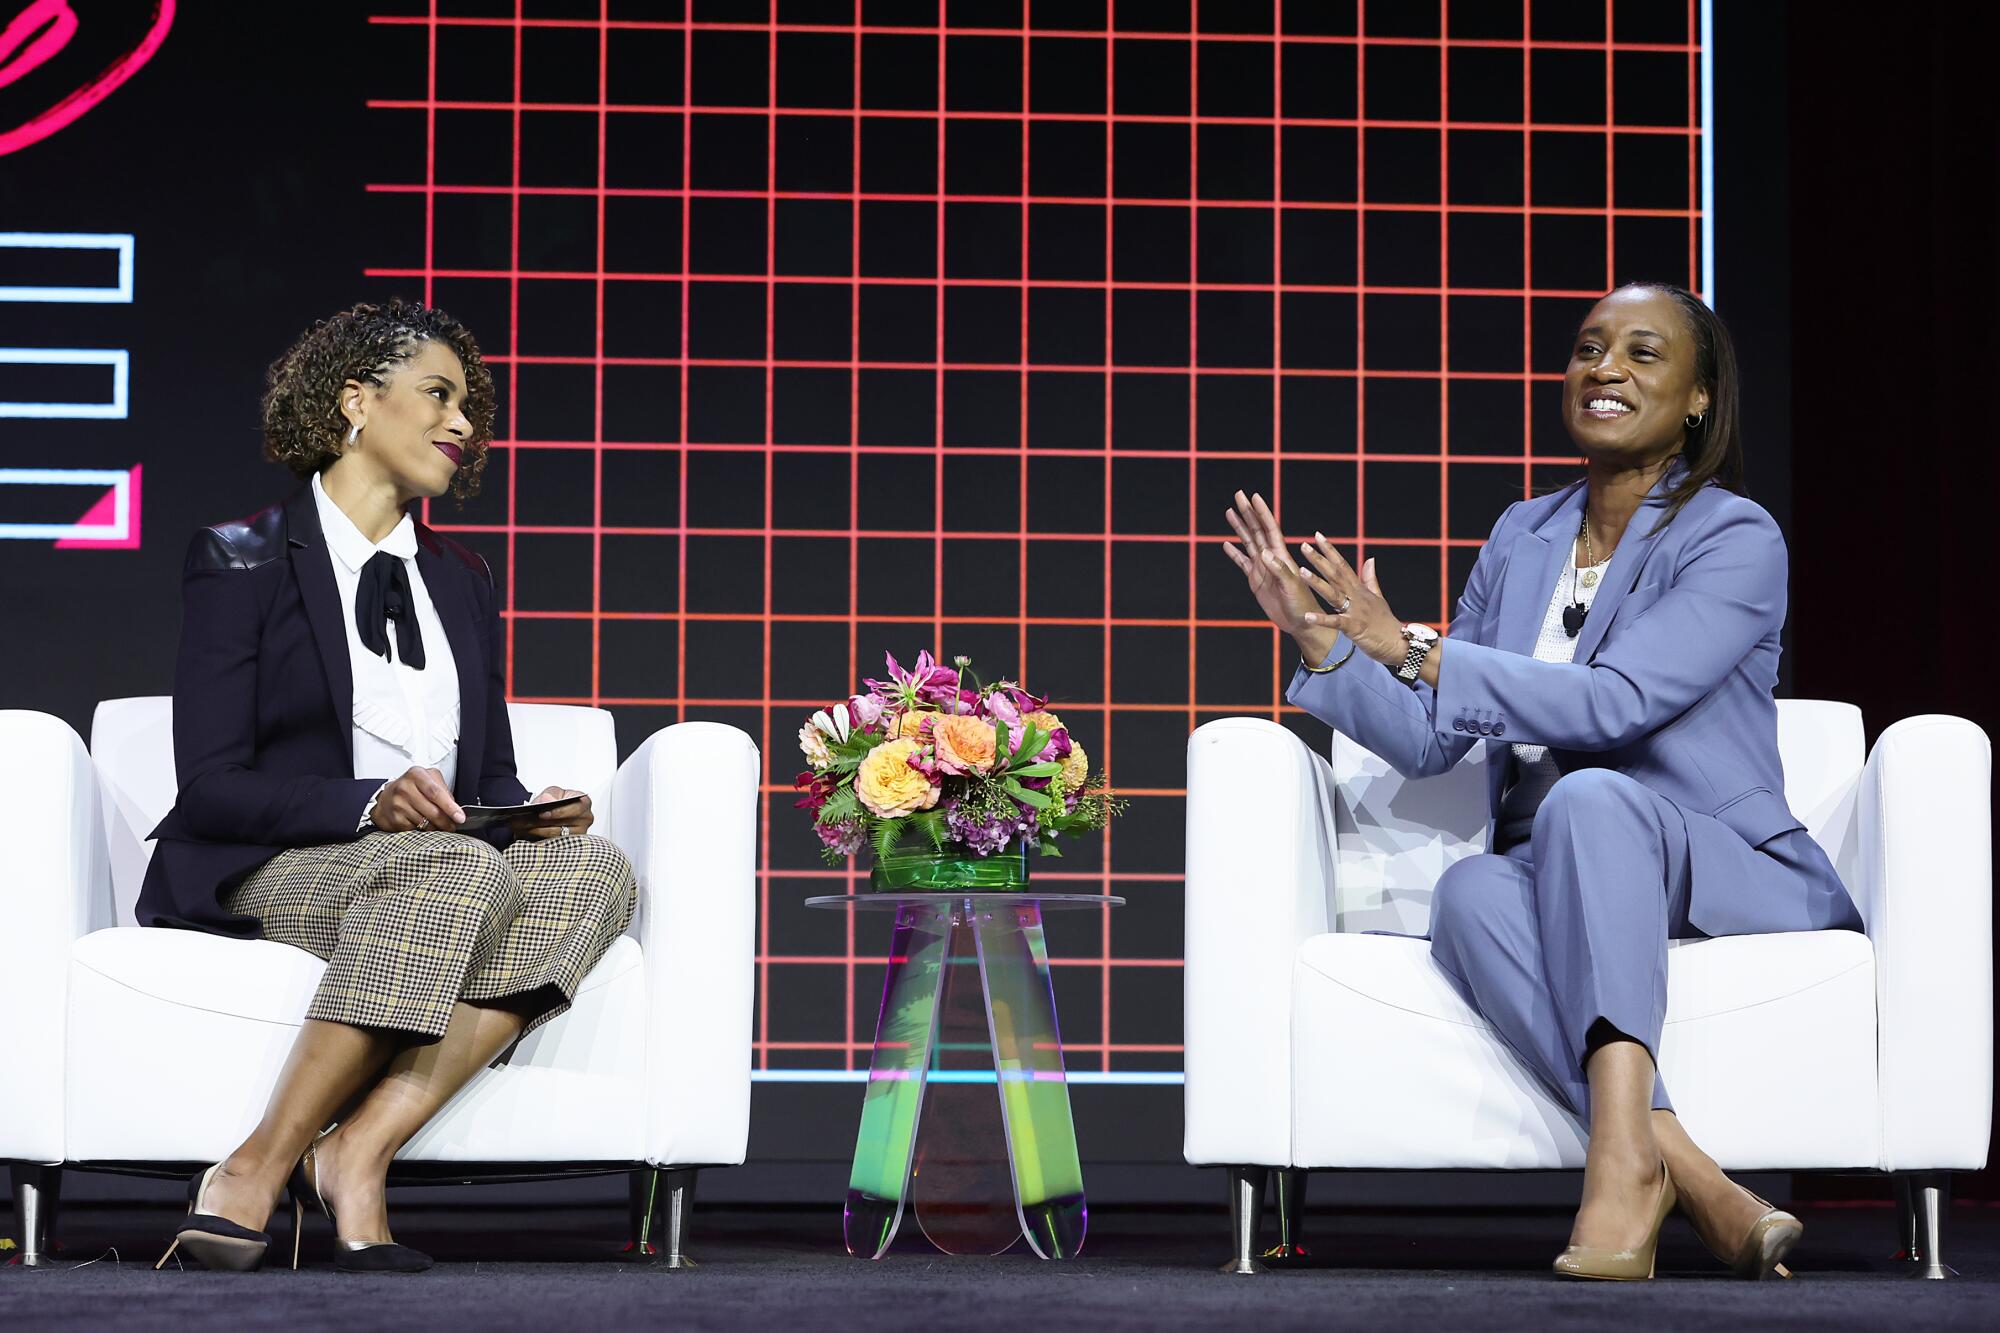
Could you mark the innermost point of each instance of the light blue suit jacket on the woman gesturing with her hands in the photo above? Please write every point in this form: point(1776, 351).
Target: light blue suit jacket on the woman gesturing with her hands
point(1671, 686)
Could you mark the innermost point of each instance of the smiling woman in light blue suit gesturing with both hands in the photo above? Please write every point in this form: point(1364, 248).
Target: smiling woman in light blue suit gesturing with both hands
point(1615, 649)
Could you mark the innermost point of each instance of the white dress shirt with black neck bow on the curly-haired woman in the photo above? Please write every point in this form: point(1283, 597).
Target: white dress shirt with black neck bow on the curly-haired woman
point(403, 718)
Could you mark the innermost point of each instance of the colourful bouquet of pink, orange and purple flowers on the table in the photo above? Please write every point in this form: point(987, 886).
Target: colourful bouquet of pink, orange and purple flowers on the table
point(975, 770)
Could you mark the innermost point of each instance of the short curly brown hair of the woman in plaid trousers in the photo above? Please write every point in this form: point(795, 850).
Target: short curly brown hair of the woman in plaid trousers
point(303, 421)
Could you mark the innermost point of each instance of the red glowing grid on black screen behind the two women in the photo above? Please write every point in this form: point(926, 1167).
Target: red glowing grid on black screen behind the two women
point(1133, 674)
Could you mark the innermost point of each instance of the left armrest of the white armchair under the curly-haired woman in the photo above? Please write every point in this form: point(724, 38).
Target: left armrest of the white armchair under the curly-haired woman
point(53, 890)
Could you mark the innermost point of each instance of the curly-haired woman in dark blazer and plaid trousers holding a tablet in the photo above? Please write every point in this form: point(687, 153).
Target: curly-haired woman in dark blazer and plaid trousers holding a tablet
point(337, 706)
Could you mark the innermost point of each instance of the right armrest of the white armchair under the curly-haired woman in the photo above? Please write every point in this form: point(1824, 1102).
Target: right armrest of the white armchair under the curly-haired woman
point(685, 812)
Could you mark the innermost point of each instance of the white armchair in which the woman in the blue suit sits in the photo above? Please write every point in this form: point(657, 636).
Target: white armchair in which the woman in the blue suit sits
point(1313, 1046)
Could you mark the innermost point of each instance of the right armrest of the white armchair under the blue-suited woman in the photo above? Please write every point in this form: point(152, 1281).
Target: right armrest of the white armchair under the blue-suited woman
point(1925, 894)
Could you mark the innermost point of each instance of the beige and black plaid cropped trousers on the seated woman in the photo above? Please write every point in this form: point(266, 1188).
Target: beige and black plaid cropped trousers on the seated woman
point(411, 924)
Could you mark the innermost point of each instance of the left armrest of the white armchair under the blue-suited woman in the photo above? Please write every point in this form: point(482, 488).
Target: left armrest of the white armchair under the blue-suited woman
point(1261, 882)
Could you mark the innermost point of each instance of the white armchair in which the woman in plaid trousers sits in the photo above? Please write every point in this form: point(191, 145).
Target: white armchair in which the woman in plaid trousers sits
point(141, 1050)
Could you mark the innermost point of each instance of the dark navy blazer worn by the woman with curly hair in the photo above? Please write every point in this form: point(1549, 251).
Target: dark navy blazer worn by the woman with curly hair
point(265, 708)
